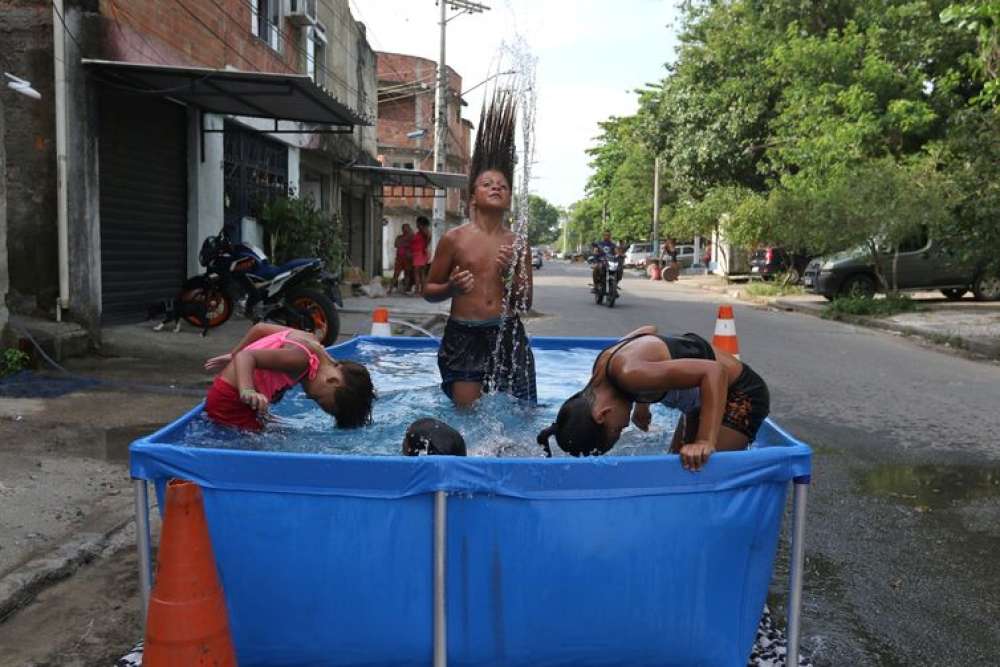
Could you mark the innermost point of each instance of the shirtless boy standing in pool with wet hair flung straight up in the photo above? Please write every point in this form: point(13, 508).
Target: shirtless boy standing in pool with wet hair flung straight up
point(472, 267)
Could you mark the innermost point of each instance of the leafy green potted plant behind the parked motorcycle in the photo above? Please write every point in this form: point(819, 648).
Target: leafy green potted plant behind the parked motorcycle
point(296, 228)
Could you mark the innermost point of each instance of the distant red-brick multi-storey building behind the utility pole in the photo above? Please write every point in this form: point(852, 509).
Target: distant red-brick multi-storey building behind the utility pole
point(406, 112)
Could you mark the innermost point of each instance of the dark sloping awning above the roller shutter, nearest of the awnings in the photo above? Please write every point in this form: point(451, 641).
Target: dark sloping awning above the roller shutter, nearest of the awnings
point(291, 97)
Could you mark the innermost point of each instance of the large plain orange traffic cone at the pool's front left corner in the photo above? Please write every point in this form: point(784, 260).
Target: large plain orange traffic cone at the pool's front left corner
point(186, 623)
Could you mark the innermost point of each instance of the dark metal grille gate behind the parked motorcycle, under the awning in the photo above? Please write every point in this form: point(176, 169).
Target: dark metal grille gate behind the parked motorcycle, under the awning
point(256, 171)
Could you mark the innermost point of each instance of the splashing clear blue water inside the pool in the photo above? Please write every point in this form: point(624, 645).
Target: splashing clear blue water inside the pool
point(407, 382)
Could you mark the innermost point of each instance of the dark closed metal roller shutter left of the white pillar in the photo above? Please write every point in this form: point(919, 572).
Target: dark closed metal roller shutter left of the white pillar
point(143, 199)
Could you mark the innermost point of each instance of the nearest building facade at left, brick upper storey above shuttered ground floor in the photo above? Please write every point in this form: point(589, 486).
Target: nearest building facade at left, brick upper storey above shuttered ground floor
point(163, 121)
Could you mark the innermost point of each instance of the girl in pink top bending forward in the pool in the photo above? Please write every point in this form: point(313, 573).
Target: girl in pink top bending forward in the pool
point(272, 358)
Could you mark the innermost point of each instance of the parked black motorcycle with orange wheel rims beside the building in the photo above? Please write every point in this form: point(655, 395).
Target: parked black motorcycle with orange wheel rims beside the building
point(298, 293)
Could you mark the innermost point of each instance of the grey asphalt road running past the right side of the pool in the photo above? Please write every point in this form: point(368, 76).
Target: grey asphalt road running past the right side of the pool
point(904, 509)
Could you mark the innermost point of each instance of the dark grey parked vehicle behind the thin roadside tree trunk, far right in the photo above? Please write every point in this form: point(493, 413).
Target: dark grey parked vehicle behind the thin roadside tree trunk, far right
point(923, 264)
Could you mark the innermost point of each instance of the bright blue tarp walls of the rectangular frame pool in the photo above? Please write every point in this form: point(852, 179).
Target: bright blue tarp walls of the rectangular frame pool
point(327, 560)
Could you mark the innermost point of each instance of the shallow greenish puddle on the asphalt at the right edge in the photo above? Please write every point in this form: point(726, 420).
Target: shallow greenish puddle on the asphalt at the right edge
point(931, 486)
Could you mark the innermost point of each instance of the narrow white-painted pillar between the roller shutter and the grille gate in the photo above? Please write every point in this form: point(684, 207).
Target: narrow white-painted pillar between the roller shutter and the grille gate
point(205, 185)
